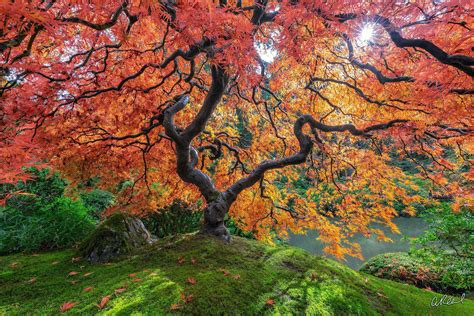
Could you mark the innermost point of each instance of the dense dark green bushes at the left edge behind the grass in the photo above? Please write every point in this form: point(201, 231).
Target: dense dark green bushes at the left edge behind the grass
point(41, 217)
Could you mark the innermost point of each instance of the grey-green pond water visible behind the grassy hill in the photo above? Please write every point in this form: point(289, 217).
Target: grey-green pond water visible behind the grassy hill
point(408, 226)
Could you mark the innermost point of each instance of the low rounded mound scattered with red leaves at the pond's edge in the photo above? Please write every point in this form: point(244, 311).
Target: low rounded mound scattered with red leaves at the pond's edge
point(402, 267)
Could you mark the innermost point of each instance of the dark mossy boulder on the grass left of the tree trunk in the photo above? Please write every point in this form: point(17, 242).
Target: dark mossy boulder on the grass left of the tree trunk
point(118, 235)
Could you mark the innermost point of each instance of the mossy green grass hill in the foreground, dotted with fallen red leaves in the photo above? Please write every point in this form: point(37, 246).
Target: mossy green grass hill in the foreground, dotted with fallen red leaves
point(244, 277)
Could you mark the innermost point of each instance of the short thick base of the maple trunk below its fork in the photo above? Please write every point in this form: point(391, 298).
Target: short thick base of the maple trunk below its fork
point(214, 214)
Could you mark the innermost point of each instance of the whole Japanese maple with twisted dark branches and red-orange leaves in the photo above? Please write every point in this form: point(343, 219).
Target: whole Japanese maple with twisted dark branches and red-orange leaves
point(234, 102)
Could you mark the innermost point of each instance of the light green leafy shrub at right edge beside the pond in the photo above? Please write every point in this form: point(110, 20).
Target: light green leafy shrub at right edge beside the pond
point(447, 243)
